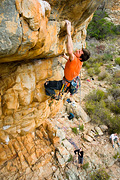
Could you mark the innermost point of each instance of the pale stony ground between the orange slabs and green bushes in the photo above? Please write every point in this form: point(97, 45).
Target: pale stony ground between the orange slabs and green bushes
point(94, 139)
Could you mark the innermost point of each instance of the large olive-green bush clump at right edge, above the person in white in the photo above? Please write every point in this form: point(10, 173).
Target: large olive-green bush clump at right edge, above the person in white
point(101, 109)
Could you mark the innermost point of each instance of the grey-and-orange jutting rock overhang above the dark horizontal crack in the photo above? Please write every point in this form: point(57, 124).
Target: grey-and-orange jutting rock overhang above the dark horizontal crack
point(35, 29)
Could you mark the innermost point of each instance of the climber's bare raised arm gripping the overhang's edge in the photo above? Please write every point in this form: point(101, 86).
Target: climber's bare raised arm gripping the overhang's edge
point(69, 41)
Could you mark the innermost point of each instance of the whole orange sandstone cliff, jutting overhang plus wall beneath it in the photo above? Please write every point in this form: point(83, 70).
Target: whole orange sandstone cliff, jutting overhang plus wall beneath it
point(34, 29)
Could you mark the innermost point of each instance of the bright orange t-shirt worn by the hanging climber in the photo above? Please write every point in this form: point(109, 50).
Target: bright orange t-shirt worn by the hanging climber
point(72, 68)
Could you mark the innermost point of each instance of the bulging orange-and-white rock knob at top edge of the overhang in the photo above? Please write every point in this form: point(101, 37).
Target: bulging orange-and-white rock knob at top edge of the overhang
point(33, 12)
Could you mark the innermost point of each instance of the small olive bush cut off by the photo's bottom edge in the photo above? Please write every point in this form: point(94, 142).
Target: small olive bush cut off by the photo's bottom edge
point(100, 174)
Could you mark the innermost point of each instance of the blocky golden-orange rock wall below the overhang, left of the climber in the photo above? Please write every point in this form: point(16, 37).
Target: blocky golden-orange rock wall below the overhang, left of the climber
point(23, 103)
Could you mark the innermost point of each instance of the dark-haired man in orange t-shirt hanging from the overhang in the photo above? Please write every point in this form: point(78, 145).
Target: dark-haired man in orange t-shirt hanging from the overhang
point(74, 63)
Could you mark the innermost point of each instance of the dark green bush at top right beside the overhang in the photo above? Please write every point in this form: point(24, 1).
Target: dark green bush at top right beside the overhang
point(100, 27)
